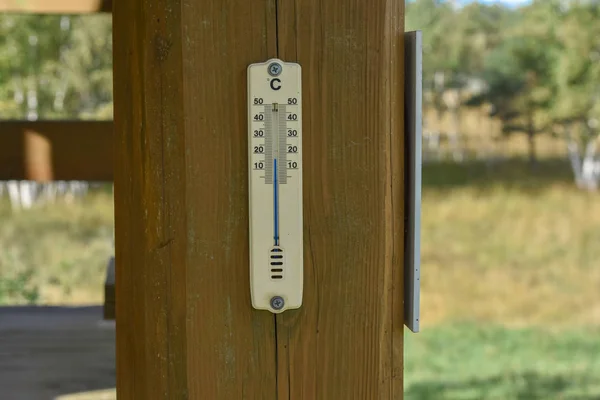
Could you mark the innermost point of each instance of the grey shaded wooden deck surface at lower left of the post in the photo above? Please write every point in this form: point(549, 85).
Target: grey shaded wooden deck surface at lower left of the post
point(50, 352)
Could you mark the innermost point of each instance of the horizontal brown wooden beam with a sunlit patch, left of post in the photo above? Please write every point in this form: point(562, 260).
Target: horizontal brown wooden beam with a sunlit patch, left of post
point(56, 150)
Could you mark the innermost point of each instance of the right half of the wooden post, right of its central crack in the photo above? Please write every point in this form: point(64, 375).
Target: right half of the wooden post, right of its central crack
point(346, 341)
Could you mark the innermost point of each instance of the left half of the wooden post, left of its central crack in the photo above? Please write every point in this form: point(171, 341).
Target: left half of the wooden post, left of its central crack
point(185, 325)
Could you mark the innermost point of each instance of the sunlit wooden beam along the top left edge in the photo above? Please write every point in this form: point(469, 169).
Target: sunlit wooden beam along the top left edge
point(55, 6)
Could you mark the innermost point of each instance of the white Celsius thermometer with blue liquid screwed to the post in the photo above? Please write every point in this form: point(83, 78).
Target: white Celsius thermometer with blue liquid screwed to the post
point(275, 185)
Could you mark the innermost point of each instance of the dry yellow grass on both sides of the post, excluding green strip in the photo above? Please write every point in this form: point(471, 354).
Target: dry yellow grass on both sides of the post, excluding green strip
point(506, 245)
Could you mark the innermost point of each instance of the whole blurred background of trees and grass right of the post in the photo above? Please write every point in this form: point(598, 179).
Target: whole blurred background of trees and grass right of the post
point(511, 215)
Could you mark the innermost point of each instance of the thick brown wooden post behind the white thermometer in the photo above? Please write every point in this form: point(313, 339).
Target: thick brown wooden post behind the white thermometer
point(185, 325)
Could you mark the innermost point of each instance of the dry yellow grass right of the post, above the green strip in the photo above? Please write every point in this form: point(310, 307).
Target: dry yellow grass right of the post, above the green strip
point(507, 254)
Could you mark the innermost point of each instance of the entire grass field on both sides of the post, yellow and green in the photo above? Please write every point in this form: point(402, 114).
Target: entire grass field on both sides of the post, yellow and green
point(511, 278)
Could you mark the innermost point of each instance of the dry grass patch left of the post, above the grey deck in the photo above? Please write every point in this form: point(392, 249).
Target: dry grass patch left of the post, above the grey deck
point(56, 254)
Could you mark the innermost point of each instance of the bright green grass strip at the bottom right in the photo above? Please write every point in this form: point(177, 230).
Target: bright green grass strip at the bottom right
point(470, 362)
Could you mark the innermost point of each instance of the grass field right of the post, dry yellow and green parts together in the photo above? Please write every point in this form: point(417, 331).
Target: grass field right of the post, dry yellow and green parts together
point(511, 286)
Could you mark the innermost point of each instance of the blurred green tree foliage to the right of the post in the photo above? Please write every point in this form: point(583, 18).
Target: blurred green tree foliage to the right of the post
point(540, 63)
